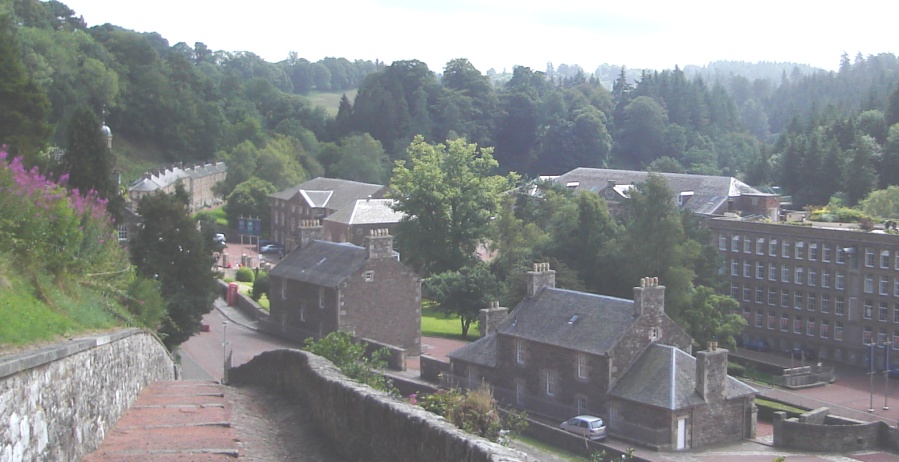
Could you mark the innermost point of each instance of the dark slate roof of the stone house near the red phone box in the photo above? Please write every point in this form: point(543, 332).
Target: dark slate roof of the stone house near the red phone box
point(321, 263)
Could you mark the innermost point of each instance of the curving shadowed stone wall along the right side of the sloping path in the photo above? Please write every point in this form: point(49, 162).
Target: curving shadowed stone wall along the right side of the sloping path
point(370, 425)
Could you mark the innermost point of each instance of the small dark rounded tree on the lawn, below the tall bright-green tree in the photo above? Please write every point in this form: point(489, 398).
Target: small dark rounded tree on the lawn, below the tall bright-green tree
point(464, 292)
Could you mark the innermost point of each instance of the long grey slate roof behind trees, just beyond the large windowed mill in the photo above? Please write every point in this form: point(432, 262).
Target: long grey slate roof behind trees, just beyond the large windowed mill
point(710, 193)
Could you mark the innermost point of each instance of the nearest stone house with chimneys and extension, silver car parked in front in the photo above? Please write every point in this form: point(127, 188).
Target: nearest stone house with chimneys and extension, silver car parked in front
point(561, 353)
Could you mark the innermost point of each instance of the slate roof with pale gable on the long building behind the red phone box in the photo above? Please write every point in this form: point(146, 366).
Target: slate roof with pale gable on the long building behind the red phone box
point(331, 193)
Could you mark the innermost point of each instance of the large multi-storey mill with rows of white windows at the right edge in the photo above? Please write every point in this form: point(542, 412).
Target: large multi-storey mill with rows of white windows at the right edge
point(829, 290)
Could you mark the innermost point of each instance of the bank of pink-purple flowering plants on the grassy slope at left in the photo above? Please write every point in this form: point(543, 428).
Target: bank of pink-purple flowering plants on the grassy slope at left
point(40, 219)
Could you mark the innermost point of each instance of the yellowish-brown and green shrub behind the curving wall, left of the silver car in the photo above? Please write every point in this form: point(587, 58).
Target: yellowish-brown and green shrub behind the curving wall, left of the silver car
point(475, 411)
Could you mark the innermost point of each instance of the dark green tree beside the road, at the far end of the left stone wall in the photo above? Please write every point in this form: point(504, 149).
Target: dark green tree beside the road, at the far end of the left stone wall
point(169, 248)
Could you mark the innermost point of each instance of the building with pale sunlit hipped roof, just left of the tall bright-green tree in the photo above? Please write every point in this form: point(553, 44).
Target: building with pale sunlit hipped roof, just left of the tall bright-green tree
point(354, 222)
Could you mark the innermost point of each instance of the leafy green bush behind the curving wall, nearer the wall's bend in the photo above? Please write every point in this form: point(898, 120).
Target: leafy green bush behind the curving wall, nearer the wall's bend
point(350, 357)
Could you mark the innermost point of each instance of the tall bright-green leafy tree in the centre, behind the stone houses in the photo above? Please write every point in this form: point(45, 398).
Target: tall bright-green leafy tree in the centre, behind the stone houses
point(449, 198)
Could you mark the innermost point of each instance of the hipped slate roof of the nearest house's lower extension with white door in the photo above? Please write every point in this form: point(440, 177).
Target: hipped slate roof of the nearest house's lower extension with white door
point(665, 376)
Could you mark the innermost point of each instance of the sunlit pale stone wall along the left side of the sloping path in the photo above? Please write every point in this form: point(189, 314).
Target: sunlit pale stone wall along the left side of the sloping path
point(57, 402)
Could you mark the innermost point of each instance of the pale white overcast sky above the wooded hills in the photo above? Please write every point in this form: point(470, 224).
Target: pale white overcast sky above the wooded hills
point(499, 34)
